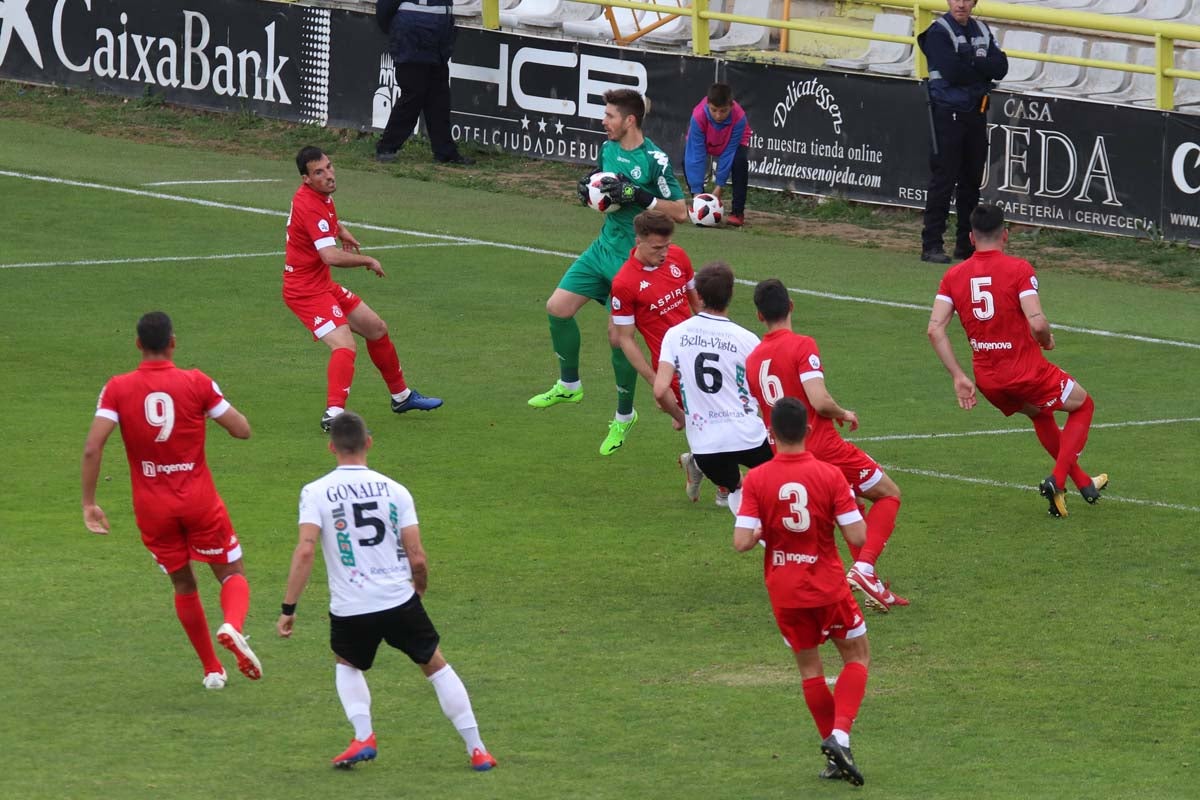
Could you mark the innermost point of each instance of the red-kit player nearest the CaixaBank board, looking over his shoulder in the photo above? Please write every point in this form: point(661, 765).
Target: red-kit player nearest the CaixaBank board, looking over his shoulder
point(332, 312)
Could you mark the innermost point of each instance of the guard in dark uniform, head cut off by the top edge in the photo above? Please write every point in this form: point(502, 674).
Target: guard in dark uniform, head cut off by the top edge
point(422, 38)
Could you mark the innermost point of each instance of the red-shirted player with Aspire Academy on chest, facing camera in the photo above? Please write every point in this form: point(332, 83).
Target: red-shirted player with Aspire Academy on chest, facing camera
point(655, 291)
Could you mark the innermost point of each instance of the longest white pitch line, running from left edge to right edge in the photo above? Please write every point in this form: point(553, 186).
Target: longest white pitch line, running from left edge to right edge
point(466, 240)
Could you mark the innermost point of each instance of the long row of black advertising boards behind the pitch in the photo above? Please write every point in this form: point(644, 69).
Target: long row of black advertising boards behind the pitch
point(1053, 161)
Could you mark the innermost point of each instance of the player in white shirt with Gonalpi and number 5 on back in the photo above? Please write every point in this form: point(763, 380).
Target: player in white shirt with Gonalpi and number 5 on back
point(368, 530)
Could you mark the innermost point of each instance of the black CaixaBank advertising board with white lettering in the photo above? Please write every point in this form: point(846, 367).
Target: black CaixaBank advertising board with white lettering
point(223, 55)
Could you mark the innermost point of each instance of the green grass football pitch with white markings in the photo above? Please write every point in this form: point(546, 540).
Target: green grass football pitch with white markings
point(614, 643)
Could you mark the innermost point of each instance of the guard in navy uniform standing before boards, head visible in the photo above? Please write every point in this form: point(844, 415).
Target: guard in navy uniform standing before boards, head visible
point(964, 63)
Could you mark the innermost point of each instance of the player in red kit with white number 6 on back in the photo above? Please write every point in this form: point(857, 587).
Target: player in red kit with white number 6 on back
point(789, 365)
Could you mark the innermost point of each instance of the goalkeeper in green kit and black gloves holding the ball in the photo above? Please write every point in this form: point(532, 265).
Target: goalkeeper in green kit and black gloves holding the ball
point(645, 181)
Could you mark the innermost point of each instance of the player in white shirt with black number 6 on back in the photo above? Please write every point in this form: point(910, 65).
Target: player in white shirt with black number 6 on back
point(709, 354)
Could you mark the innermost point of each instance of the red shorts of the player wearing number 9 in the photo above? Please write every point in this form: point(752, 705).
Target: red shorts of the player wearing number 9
point(206, 536)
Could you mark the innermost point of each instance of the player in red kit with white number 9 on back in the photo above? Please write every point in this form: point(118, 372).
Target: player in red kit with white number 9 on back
point(163, 413)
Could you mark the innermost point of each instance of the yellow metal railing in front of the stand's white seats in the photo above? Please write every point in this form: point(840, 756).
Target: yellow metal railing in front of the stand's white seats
point(1163, 34)
